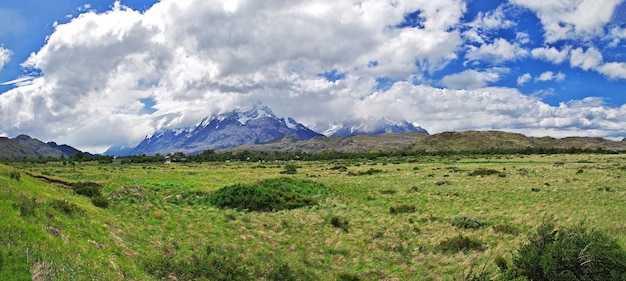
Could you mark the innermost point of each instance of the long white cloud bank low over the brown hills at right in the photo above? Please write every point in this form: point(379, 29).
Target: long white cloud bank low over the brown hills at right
point(497, 108)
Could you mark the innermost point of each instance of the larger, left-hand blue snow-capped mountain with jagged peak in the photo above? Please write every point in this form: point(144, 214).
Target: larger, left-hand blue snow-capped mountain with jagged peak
point(252, 125)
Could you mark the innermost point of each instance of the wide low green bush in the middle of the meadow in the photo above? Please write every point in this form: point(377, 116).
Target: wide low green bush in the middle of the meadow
point(269, 195)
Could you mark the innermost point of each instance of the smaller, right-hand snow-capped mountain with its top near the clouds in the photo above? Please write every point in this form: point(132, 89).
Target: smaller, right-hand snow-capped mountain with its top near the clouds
point(371, 126)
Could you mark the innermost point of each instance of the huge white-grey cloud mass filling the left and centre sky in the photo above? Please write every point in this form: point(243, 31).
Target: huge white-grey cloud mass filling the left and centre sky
point(195, 58)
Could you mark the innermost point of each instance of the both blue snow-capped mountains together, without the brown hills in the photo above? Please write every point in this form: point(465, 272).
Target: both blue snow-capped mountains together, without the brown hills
point(252, 126)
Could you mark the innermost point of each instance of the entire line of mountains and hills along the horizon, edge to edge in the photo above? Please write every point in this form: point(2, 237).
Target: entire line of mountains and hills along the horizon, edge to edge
point(258, 128)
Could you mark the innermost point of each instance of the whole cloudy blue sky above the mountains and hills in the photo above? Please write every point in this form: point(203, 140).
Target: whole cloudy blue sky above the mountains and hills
point(96, 73)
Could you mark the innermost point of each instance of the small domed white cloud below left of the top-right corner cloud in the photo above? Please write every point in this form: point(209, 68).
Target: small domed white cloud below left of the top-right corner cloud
point(499, 51)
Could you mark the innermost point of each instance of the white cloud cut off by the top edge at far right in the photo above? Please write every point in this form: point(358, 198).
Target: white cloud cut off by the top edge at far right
point(569, 19)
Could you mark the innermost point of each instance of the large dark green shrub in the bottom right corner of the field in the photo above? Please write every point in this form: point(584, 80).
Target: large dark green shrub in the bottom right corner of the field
point(573, 253)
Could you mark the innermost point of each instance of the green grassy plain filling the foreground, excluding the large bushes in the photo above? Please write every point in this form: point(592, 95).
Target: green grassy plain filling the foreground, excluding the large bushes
point(384, 219)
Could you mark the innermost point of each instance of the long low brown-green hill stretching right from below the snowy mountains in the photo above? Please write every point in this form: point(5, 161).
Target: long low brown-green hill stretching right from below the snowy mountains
point(446, 141)
